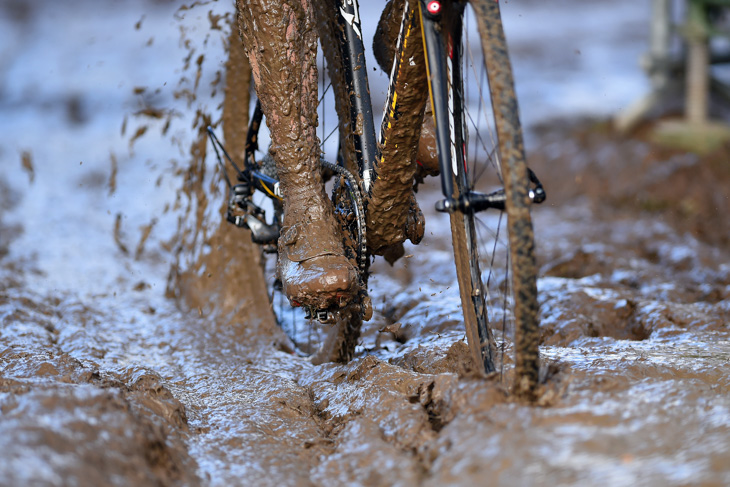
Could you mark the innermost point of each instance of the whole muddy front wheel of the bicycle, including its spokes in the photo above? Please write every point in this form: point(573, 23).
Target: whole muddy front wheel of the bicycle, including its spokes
point(494, 255)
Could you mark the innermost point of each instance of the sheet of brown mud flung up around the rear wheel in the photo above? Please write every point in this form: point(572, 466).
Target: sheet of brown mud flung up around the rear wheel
point(200, 277)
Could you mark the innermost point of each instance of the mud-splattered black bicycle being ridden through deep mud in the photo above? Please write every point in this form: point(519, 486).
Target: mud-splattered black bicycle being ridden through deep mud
point(430, 49)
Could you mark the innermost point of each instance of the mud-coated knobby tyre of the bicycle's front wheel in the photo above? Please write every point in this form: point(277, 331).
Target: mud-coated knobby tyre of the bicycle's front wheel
point(519, 225)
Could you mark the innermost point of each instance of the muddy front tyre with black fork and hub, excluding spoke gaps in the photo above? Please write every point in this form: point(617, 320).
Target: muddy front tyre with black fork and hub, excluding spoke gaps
point(442, 35)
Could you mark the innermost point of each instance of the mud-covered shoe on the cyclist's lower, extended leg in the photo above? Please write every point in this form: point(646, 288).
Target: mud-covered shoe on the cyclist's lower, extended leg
point(313, 269)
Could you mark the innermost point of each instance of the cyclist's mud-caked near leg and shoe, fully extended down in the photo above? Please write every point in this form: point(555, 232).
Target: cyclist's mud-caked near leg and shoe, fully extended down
point(281, 43)
